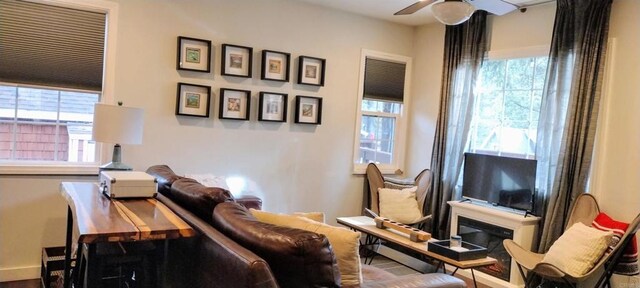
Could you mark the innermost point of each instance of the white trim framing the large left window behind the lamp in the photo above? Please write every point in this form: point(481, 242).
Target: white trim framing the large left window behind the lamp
point(108, 84)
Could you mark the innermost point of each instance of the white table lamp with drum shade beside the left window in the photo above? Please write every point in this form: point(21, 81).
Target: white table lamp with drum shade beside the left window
point(117, 125)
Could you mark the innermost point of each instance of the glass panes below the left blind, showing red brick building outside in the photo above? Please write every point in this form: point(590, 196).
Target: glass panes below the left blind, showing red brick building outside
point(43, 124)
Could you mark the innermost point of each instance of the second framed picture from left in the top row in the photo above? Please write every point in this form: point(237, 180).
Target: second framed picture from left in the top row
point(236, 60)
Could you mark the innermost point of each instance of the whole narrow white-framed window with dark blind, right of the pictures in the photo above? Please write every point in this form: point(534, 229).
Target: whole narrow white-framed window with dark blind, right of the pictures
point(381, 127)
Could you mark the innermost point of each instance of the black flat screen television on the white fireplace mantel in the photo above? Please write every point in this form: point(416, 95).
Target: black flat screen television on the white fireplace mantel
point(499, 180)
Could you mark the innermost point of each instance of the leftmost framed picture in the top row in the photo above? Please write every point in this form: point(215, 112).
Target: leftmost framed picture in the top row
point(194, 54)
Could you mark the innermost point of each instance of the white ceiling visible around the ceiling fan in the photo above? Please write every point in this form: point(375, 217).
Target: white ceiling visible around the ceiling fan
point(384, 9)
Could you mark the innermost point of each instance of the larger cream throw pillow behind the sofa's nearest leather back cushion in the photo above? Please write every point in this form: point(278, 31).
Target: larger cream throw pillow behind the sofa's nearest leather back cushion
point(345, 243)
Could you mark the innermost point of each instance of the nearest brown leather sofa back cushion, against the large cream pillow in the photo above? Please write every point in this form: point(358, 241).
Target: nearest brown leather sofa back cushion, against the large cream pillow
point(297, 258)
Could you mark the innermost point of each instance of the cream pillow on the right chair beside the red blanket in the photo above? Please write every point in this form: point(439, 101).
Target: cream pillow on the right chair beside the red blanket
point(578, 249)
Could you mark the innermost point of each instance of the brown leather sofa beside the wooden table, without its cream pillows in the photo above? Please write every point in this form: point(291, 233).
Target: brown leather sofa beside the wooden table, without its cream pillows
point(233, 249)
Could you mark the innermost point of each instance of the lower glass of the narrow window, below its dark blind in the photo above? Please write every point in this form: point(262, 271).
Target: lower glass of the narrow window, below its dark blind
point(377, 130)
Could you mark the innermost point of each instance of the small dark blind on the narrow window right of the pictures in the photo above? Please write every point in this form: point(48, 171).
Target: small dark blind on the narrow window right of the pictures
point(384, 80)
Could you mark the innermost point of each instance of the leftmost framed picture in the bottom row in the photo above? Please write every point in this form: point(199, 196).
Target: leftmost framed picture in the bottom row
point(193, 100)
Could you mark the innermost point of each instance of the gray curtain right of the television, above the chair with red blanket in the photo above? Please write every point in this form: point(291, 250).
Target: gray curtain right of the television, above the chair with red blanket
point(570, 105)
